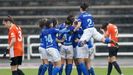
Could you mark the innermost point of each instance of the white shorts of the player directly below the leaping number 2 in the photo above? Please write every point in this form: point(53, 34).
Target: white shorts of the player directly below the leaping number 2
point(82, 52)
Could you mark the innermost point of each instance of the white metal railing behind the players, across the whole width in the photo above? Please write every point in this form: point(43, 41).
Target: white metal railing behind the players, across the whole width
point(30, 46)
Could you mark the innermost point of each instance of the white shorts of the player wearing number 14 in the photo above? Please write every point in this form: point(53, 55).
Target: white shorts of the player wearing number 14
point(53, 54)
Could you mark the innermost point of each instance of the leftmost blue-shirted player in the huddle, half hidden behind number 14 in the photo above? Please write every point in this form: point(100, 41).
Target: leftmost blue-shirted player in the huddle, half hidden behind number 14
point(42, 49)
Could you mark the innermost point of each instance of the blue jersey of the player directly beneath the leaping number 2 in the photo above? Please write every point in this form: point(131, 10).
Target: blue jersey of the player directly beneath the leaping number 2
point(77, 35)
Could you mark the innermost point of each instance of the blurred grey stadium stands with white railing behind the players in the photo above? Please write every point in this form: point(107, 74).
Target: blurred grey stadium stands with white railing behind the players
point(26, 13)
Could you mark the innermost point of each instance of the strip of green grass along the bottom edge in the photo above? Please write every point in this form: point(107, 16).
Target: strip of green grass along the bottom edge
point(98, 71)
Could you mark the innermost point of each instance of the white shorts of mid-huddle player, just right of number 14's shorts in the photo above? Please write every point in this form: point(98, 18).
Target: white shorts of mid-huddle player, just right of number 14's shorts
point(66, 52)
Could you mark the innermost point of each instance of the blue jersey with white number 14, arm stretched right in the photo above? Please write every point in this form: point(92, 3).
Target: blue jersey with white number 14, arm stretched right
point(48, 37)
